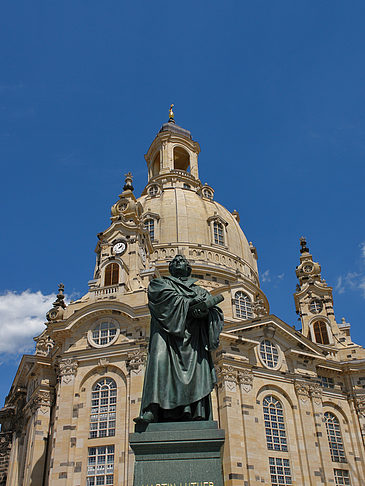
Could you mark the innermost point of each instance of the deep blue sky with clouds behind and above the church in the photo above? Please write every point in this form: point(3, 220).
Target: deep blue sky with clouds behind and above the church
point(273, 91)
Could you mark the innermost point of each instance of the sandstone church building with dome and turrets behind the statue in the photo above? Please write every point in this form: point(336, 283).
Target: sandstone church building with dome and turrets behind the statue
point(292, 402)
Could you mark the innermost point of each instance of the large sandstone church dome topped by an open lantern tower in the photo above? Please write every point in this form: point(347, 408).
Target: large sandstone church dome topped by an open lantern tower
point(182, 215)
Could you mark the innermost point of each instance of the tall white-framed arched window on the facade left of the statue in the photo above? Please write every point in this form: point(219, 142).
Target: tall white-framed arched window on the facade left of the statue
point(103, 408)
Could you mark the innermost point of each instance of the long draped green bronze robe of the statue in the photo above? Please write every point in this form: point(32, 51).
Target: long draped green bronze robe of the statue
point(179, 369)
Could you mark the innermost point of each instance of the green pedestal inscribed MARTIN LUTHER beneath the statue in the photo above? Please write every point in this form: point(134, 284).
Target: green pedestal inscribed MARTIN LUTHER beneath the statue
point(178, 454)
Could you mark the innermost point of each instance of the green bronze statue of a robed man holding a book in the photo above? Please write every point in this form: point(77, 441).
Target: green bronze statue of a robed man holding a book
point(185, 327)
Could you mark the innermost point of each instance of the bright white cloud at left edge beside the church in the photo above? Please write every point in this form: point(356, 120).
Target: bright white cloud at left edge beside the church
point(22, 316)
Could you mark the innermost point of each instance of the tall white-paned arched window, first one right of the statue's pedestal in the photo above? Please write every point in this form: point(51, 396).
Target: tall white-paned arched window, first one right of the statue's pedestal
point(274, 424)
